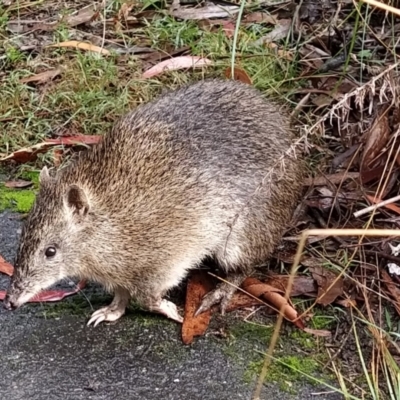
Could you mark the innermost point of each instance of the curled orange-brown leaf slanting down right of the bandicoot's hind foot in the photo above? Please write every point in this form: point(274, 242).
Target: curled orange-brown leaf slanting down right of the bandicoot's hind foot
point(274, 296)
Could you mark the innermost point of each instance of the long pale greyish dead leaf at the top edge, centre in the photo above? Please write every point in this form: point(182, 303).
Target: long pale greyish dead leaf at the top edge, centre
point(209, 11)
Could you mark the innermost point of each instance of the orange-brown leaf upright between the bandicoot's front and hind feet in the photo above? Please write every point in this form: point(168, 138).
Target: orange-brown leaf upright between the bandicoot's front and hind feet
point(199, 284)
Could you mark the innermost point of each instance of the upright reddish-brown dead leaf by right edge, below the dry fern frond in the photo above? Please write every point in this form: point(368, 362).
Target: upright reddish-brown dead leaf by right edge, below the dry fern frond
point(376, 139)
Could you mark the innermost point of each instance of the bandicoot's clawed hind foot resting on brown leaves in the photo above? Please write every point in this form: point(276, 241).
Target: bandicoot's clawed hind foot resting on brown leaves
point(223, 293)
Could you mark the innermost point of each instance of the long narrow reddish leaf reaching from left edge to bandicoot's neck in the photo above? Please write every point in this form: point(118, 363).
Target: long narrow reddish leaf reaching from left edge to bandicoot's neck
point(29, 153)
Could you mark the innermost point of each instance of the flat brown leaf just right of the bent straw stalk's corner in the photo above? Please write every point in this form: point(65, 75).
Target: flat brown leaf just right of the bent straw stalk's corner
point(329, 285)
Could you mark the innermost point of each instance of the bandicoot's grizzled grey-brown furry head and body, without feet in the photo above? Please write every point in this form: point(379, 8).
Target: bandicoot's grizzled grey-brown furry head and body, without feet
point(206, 170)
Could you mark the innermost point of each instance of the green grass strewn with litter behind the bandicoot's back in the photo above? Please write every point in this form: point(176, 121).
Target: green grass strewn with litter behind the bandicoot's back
point(94, 90)
